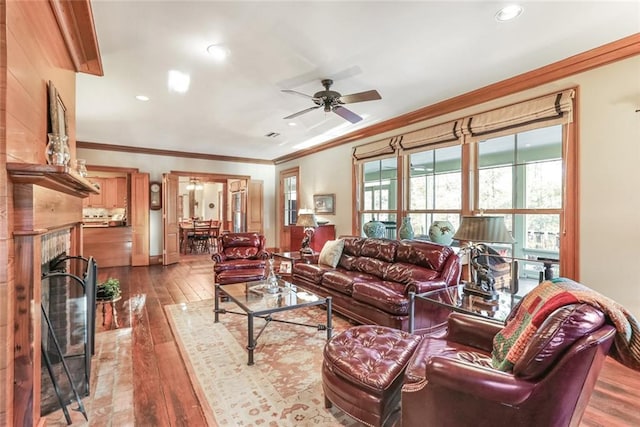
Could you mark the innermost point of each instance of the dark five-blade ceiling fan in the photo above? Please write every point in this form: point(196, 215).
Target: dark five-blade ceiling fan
point(334, 101)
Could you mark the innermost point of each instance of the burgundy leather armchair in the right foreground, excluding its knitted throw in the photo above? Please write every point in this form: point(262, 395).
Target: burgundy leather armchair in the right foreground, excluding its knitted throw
point(450, 380)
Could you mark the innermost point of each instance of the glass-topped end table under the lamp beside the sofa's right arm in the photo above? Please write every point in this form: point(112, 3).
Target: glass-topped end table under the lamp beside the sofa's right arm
point(453, 298)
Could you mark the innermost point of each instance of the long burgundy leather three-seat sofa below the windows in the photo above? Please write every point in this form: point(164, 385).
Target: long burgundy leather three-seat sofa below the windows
point(373, 278)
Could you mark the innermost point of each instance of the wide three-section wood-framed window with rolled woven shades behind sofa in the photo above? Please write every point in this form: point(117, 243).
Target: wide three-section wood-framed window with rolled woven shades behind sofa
point(518, 161)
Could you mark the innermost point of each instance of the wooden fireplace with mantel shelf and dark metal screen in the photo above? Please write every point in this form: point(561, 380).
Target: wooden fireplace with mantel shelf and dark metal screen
point(47, 222)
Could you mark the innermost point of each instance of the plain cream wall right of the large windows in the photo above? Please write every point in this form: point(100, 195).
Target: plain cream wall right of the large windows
point(609, 198)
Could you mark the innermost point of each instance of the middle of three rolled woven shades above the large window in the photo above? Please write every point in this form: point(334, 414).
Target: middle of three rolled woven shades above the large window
point(438, 136)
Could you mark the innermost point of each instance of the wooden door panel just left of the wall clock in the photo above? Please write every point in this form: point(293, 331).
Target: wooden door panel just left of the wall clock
point(139, 219)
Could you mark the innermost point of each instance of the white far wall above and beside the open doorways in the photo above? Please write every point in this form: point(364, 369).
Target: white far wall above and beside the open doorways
point(155, 166)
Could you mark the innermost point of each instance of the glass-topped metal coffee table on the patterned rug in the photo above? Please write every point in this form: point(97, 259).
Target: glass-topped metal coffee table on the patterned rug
point(255, 300)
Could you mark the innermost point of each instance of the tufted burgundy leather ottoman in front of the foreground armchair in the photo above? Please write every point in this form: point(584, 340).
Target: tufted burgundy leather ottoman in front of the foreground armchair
point(363, 369)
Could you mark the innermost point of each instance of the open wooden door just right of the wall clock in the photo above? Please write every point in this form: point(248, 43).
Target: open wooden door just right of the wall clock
point(171, 234)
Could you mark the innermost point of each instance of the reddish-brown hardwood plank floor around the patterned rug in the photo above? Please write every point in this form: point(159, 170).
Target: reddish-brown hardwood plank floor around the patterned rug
point(163, 395)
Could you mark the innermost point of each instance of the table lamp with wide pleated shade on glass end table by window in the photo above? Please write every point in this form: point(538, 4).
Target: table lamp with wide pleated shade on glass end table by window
point(477, 230)
